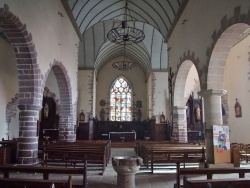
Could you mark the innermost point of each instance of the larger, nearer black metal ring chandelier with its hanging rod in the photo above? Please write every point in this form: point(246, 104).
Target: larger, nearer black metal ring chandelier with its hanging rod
point(123, 34)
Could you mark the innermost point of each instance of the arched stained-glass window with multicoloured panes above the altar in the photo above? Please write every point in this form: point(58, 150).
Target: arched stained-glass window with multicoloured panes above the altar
point(120, 101)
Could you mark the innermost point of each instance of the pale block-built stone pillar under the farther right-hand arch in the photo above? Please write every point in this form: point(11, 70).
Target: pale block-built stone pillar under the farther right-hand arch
point(179, 124)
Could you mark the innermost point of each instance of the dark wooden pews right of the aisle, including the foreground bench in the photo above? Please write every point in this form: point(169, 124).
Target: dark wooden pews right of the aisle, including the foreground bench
point(166, 152)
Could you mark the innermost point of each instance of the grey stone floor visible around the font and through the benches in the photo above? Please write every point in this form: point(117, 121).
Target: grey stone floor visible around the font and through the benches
point(162, 178)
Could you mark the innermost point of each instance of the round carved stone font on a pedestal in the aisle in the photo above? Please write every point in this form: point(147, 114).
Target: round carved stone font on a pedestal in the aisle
point(126, 168)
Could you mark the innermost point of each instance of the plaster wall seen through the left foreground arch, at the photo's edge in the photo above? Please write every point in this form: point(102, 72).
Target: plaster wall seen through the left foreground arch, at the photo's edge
point(8, 87)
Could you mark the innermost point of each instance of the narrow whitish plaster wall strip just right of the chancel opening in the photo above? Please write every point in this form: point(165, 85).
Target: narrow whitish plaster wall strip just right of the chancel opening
point(161, 95)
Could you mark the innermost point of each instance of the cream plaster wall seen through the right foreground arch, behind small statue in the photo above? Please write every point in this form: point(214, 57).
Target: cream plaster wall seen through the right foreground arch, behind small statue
point(237, 84)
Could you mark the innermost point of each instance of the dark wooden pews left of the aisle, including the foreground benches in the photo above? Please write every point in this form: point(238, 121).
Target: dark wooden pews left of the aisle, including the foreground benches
point(75, 158)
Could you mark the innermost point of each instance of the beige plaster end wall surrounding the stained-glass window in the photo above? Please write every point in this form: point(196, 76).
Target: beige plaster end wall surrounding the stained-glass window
point(108, 75)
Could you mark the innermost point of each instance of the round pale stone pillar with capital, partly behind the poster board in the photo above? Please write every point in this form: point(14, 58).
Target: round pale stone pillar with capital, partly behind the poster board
point(213, 116)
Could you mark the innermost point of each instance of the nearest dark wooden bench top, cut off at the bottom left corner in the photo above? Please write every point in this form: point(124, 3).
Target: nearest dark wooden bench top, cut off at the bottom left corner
point(35, 183)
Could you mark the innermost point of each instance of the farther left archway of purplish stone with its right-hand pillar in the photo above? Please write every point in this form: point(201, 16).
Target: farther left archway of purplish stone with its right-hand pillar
point(67, 121)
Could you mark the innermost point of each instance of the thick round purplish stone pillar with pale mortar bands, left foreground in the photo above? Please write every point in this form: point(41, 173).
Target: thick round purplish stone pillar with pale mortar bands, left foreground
point(27, 149)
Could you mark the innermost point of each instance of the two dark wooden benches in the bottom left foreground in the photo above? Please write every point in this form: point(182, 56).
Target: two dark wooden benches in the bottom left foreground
point(46, 181)
